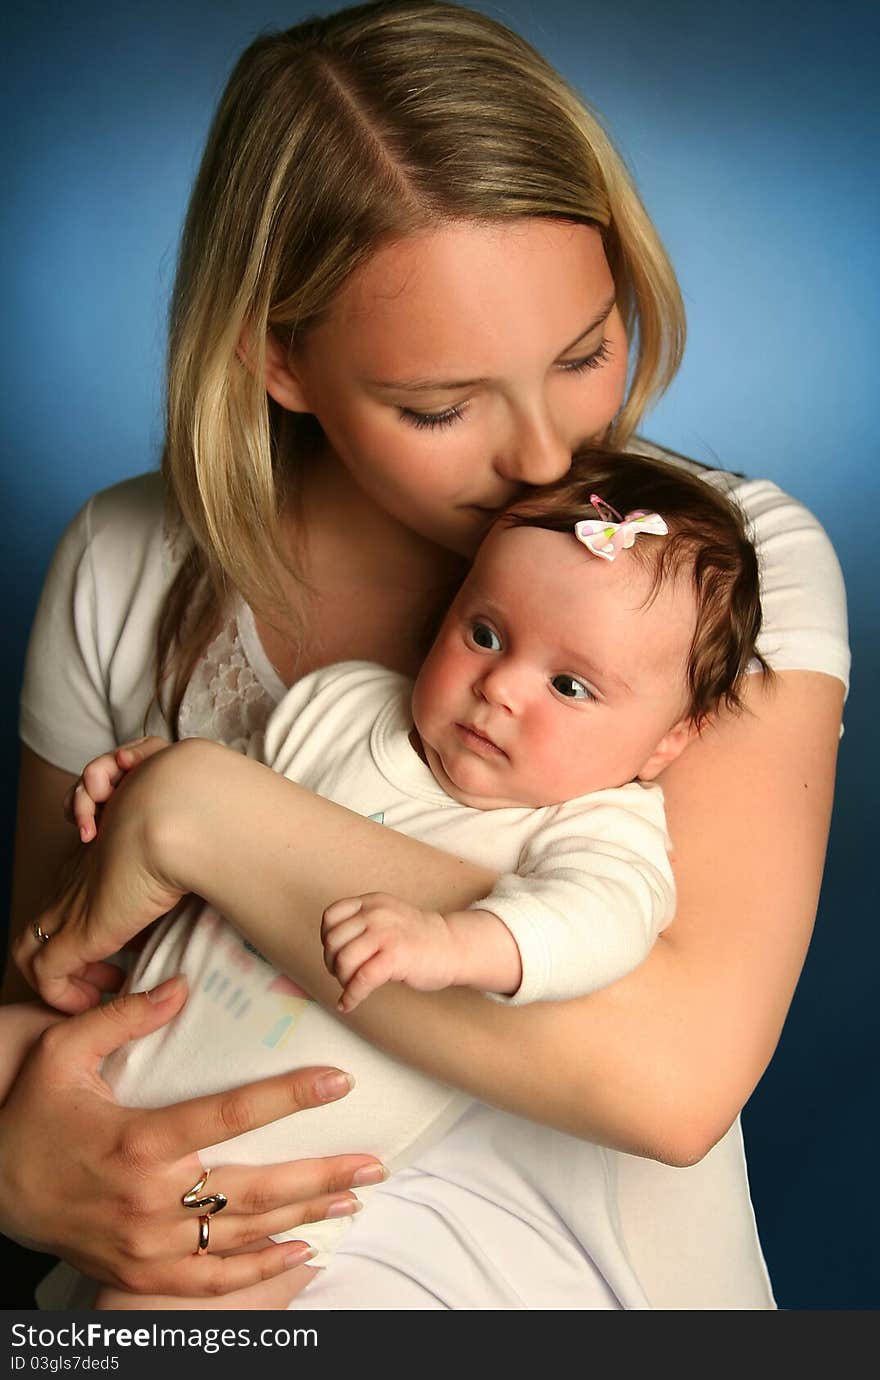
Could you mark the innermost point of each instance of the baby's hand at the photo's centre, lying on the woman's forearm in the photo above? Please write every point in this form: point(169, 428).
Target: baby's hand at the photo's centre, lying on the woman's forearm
point(377, 939)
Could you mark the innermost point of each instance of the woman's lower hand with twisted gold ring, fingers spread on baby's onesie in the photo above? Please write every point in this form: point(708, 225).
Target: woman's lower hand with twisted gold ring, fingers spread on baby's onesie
point(115, 1210)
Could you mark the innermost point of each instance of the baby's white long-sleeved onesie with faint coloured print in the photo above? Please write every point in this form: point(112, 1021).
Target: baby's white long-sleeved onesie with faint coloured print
point(587, 887)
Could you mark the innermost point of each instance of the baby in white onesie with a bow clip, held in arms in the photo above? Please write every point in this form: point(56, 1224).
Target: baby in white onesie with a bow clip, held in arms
point(603, 622)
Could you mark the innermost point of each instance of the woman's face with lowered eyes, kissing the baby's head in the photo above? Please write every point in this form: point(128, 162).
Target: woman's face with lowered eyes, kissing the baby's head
point(464, 362)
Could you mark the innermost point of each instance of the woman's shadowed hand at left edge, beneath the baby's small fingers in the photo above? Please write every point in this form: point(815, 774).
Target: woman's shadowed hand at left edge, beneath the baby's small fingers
point(110, 891)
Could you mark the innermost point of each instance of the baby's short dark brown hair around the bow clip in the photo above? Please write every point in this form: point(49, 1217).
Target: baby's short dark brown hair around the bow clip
point(707, 542)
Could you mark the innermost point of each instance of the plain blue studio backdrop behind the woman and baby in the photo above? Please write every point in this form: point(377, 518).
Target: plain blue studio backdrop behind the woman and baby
point(752, 130)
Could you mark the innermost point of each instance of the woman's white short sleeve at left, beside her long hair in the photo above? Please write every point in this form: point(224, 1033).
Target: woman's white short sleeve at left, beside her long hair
point(90, 670)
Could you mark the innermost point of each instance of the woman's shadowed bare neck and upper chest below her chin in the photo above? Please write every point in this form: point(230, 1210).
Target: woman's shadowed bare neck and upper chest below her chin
point(374, 587)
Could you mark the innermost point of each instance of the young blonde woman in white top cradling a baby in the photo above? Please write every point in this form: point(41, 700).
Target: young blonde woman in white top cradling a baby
point(414, 241)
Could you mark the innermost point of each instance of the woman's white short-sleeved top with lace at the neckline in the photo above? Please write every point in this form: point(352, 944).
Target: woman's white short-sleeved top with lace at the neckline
point(501, 1214)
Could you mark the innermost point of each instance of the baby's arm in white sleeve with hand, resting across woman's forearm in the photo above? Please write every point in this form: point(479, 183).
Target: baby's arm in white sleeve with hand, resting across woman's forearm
point(592, 892)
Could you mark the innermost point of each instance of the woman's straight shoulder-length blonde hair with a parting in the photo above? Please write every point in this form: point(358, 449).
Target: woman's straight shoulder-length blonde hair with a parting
point(333, 139)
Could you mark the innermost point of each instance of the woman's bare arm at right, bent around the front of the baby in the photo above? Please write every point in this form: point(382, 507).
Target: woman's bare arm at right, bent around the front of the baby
point(657, 1065)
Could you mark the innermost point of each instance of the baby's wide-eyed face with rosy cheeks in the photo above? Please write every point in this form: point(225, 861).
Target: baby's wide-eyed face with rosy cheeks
point(551, 678)
